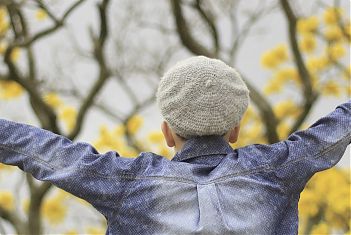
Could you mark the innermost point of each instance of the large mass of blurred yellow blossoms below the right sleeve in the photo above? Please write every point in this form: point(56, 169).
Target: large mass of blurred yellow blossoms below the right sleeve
point(331, 201)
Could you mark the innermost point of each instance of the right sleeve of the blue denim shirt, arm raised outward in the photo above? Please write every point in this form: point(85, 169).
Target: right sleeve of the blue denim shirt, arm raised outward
point(320, 147)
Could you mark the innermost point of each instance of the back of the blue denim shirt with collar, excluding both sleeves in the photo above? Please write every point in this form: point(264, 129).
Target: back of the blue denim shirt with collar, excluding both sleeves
point(221, 191)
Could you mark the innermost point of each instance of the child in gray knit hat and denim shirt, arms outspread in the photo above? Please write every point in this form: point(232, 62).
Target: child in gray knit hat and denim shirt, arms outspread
point(207, 188)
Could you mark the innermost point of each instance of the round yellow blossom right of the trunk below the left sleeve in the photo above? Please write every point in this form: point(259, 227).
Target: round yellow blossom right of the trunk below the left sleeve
point(54, 211)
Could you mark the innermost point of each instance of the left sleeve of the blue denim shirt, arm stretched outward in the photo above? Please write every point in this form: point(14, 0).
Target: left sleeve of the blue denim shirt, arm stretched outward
point(78, 168)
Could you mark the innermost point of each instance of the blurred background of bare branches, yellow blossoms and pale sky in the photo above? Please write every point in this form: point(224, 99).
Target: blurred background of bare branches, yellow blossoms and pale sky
point(89, 70)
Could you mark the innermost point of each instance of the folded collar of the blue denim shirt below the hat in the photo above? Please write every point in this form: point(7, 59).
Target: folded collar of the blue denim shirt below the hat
point(202, 146)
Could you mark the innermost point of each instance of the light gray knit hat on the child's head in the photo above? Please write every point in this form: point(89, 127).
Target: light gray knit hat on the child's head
point(201, 96)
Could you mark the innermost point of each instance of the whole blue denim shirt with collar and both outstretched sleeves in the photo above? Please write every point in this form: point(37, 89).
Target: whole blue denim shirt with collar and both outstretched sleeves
point(207, 188)
